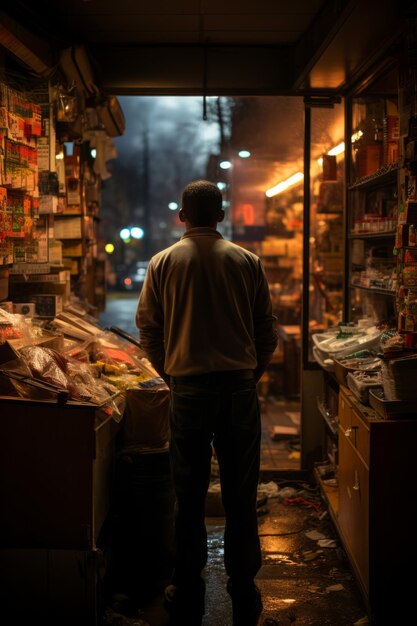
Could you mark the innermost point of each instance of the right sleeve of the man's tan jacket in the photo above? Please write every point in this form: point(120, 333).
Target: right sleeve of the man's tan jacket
point(265, 331)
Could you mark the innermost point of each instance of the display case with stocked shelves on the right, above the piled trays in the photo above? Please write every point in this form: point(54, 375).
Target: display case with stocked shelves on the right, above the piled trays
point(372, 202)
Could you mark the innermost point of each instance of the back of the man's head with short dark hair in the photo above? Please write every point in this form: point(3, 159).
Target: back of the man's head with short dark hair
point(201, 202)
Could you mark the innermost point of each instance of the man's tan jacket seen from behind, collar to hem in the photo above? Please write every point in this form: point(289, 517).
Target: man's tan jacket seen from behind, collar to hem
point(213, 297)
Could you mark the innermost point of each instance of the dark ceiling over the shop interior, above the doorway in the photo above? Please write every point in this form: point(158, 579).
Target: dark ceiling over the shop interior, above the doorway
point(207, 46)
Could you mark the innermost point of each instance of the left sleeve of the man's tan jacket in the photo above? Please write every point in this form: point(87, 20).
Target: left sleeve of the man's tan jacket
point(150, 322)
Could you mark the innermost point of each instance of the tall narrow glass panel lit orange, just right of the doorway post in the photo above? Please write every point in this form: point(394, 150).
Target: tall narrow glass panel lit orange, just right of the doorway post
point(324, 231)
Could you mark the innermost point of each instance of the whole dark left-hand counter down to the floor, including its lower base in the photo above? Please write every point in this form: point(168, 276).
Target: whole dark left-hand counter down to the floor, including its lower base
point(56, 468)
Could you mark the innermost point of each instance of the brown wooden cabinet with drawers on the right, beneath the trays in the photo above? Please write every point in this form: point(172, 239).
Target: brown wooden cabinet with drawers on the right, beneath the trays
point(377, 506)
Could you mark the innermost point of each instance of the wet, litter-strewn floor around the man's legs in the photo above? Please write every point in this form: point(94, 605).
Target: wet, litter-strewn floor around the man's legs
point(305, 578)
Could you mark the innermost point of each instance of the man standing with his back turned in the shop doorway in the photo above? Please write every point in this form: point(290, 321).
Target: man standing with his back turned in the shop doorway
point(205, 322)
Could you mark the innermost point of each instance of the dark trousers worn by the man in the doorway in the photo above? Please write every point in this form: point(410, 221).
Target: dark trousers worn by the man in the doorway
point(219, 410)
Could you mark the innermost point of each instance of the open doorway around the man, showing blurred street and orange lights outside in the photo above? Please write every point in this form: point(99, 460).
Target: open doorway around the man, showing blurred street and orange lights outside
point(252, 147)
